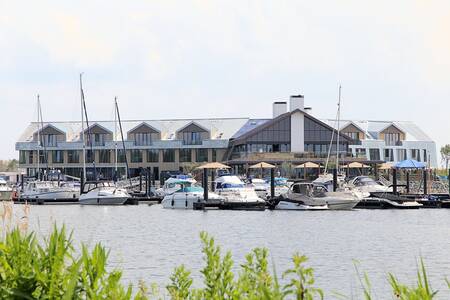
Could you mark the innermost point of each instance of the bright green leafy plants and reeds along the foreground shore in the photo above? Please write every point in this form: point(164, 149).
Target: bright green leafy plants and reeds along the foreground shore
point(53, 269)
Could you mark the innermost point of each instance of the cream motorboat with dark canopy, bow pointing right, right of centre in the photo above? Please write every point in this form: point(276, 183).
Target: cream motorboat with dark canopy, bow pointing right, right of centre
point(311, 195)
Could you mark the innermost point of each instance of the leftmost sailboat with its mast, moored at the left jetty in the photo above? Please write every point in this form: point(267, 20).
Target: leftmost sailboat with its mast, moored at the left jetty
point(46, 190)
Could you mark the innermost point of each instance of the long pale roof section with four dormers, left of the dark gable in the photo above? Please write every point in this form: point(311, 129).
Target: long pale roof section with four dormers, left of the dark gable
point(220, 128)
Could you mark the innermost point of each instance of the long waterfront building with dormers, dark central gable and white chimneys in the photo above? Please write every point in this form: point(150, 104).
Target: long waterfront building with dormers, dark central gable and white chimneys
point(292, 135)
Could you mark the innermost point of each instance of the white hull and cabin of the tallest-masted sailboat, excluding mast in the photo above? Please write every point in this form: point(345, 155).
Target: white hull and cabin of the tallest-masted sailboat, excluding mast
point(103, 193)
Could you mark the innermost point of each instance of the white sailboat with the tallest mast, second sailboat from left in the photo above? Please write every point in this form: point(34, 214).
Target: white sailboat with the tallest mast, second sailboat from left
point(98, 192)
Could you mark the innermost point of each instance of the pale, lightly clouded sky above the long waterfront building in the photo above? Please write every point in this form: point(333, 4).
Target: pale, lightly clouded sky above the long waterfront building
point(185, 59)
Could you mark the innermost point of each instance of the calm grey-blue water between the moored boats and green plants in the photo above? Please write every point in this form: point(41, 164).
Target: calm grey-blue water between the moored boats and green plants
point(148, 241)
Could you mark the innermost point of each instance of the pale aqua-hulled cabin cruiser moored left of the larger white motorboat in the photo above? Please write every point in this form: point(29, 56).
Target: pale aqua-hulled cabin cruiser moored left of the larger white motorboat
point(186, 194)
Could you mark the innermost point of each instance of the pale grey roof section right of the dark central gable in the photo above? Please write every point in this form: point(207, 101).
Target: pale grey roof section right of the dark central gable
point(372, 129)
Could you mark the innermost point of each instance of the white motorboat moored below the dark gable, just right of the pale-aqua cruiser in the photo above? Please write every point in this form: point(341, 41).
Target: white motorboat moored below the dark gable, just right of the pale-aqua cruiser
point(233, 189)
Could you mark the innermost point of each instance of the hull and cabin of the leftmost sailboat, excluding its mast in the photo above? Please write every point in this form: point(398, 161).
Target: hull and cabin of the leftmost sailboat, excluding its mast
point(49, 191)
